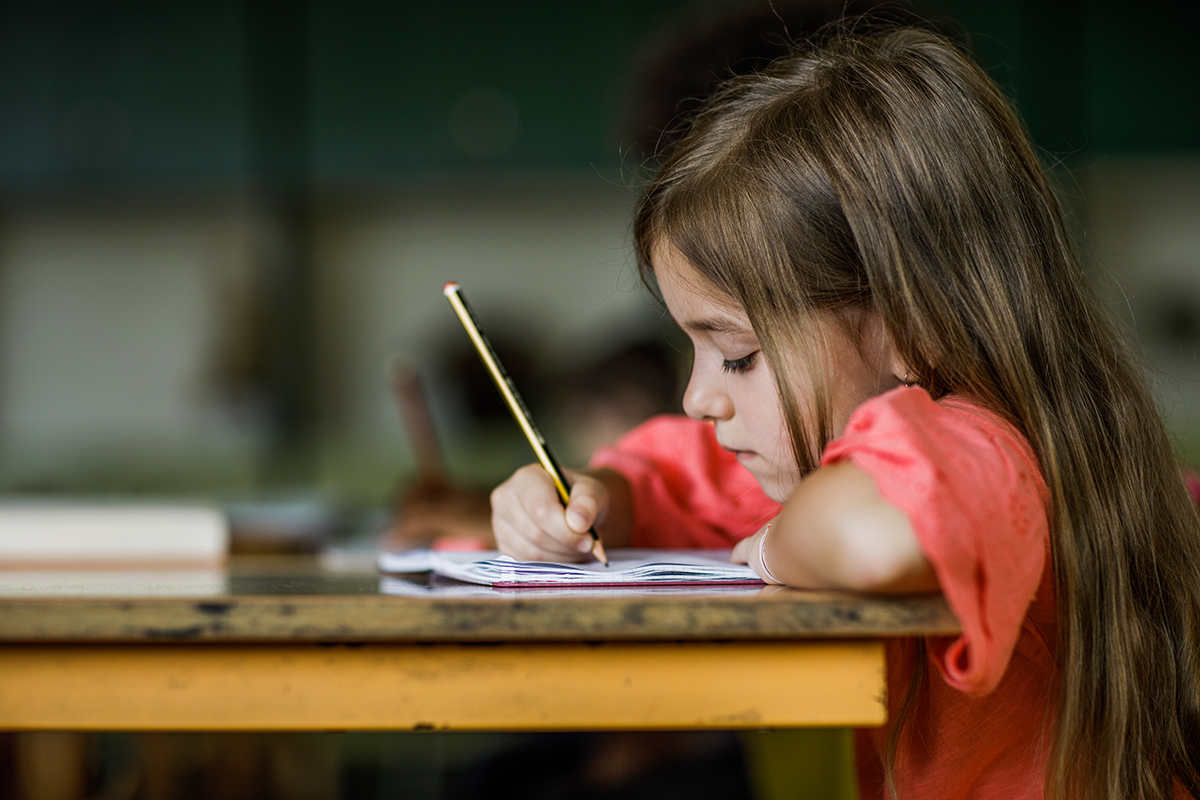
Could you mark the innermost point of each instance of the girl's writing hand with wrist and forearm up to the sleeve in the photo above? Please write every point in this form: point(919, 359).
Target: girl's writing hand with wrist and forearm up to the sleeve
point(531, 525)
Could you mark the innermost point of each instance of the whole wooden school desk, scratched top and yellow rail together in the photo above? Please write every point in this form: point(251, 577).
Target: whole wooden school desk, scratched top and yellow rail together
point(283, 645)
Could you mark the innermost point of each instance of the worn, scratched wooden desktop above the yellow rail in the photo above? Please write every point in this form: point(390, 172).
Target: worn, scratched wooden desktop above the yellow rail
point(293, 600)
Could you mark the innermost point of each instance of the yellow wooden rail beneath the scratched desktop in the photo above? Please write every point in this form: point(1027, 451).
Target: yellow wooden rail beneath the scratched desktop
point(387, 687)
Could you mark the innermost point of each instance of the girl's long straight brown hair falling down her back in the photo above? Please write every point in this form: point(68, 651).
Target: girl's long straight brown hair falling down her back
point(887, 171)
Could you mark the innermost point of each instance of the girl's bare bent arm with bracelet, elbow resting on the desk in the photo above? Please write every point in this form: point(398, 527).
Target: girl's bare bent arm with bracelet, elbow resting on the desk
point(837, 532)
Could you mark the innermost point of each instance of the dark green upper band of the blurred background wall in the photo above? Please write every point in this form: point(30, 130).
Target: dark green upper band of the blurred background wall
point(331, 94)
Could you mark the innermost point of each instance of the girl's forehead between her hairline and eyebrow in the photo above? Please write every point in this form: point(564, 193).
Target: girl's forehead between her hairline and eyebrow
point(693, 300)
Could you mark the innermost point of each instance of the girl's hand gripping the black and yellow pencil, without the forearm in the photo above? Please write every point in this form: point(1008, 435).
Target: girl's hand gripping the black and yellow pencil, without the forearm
point(531, 525)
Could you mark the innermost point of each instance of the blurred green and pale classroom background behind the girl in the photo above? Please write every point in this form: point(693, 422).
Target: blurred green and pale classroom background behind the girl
point(220, 221)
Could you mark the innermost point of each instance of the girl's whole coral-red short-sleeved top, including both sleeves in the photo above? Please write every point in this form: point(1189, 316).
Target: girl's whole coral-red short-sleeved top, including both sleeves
point(975, 495)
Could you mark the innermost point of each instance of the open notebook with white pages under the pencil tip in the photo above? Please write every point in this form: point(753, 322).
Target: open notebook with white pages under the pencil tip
point(627, 568)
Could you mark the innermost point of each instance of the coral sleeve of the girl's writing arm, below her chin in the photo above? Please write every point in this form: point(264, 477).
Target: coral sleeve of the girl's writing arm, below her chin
point(687, 490)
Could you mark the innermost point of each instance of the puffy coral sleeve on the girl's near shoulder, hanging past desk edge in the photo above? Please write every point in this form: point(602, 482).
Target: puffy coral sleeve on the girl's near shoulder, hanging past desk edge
point(977, 502)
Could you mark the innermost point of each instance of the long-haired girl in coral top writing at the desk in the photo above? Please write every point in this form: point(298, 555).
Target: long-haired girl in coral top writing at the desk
point(895, 340)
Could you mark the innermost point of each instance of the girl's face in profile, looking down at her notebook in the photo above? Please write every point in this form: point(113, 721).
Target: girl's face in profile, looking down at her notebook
point(733, 387)
